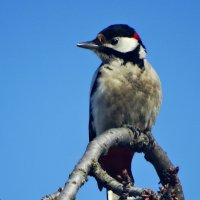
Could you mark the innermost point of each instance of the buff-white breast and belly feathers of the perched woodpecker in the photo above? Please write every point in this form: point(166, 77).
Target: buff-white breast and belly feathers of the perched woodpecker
point(125, 94)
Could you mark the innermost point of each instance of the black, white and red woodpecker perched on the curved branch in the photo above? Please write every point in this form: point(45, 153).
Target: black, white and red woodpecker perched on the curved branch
point(125, 90)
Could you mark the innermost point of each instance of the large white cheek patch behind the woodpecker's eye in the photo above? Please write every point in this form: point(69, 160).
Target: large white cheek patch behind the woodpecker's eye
point(125, 44)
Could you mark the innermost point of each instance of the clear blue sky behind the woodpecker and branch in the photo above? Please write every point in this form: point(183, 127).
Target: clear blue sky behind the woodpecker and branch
point(45, 82)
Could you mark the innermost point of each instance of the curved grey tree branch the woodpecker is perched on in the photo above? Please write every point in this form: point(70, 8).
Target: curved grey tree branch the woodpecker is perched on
point(139, 142)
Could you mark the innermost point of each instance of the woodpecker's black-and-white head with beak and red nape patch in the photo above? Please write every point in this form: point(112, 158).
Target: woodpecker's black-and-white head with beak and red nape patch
point(117, 41)
